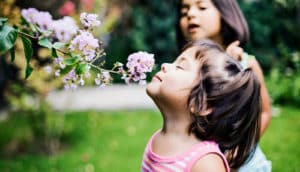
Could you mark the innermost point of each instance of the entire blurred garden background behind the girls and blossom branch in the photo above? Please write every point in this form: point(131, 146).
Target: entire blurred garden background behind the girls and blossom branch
point(43, 128)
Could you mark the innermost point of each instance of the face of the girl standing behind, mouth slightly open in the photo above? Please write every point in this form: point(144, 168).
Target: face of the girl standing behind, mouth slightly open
point(200, 19)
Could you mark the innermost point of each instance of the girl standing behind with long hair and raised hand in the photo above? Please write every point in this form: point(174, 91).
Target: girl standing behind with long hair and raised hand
point(223, 22)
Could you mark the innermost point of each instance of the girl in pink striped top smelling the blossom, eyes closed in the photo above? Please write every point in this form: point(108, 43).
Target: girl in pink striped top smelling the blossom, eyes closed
point(203, 102)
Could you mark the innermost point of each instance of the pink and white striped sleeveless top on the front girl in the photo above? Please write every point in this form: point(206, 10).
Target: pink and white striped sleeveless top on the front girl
point(182, 163)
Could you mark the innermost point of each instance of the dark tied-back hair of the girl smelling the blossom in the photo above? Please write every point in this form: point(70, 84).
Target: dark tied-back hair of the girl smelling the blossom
point(233, 96)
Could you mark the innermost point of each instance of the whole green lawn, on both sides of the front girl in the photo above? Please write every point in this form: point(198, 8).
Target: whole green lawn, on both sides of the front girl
point(115, 141)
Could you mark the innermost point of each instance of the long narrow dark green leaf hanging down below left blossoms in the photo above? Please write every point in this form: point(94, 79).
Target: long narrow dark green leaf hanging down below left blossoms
point(28, 54)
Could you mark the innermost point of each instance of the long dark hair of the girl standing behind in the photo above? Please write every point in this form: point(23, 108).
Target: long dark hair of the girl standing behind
point(234, 26)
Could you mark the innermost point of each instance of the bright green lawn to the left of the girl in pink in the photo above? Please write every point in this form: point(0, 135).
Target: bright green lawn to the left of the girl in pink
point(97, 141)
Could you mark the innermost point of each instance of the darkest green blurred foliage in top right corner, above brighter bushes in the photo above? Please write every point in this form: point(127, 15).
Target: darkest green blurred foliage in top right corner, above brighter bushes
point(273, 25)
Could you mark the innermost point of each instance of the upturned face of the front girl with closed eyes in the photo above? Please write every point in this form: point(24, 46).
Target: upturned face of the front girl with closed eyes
point(173, 83)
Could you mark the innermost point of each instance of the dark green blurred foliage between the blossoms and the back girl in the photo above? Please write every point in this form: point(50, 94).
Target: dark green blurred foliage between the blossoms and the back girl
point(146, 26)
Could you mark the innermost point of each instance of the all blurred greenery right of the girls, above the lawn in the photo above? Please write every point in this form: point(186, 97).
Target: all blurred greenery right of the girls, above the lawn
point(275, 40)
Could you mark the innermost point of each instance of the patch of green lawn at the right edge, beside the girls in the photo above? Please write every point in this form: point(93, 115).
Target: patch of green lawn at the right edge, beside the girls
point(281, 141)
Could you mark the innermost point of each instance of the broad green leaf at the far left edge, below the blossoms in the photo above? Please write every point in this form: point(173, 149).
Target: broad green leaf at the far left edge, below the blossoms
point(8, 37)
